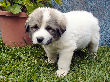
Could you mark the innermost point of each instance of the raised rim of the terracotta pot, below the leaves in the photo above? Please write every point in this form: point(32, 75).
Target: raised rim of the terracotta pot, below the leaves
point(6, 13)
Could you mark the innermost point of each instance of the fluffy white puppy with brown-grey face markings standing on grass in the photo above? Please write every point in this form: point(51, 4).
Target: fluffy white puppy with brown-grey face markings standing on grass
point(63, 33)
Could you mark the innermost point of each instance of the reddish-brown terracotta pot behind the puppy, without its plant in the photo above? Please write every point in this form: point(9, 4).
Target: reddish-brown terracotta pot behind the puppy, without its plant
point(13, 29)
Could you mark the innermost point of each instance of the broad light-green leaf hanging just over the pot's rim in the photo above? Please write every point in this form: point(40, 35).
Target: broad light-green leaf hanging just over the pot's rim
point(15, 9)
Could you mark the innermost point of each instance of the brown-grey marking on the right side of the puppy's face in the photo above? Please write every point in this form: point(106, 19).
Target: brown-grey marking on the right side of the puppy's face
point(56, 23)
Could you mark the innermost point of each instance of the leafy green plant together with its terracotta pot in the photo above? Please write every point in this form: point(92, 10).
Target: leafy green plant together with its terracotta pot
point(13, 14)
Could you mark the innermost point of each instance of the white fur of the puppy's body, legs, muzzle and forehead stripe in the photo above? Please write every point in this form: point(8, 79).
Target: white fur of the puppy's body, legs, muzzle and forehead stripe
point(82, 29)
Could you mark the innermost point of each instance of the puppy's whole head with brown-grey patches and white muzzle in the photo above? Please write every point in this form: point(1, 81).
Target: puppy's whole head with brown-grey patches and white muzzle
point(45, 25)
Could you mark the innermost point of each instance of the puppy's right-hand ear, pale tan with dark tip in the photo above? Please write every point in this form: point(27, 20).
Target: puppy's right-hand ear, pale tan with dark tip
point(59, 20)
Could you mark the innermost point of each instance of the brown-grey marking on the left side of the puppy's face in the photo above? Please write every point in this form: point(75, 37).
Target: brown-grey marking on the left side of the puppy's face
point(34, 22)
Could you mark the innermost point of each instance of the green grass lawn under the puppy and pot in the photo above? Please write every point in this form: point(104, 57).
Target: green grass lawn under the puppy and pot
point(29, 65)
